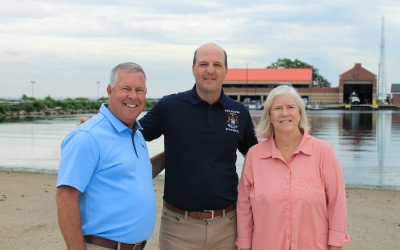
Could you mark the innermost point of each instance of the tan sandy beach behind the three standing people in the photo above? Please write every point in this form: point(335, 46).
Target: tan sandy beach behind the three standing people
point(28, 215)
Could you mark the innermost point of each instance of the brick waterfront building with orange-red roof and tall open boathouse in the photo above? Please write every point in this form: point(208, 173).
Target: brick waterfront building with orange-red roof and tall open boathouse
point(256, 84)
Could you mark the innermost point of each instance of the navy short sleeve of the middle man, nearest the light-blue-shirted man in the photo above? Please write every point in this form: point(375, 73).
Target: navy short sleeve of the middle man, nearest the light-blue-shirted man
point(152, 122)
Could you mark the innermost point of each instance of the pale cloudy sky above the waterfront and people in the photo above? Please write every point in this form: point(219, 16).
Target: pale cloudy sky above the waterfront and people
point(68, 46)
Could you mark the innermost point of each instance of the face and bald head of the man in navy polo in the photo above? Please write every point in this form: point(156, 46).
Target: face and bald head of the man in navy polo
point(209, 70)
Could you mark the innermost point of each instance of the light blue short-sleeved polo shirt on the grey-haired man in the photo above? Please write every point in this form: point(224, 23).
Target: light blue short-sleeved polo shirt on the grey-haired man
point(99, 159)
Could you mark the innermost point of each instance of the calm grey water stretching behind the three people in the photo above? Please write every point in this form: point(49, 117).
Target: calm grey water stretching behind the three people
point(367, 144)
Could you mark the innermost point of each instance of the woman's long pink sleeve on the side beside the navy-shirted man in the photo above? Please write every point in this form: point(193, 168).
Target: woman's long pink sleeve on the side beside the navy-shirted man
point(244, 208)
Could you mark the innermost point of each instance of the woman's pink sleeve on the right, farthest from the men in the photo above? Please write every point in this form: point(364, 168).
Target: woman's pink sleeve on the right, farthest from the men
point(336, 197)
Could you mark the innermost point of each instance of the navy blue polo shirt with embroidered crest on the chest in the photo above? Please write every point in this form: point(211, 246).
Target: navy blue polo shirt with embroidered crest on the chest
point(200, 143)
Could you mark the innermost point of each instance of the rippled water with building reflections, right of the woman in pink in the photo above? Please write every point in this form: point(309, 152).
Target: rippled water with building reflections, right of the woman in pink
point(365, 143)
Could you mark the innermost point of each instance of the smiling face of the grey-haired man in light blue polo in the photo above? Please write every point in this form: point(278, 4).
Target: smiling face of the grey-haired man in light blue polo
point(128, 96)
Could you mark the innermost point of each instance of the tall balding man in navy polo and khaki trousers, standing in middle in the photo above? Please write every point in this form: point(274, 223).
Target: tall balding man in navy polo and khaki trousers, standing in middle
point(203, 128)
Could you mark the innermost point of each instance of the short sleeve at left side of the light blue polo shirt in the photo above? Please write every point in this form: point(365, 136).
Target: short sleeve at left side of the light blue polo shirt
point(79, 159)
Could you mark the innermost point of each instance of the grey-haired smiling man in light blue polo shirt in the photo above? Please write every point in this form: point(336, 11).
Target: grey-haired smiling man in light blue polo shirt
point(105, 195)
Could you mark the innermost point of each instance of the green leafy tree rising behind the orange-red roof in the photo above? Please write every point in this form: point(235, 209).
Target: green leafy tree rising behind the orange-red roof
point(285, 63)
